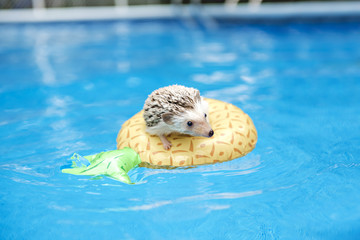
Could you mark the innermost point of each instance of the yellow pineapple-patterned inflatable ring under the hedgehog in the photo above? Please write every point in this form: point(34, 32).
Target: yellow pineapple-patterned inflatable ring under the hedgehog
point(235, 136)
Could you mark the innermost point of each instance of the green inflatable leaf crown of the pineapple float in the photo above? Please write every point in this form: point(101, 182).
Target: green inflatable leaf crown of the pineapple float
point(115, 164)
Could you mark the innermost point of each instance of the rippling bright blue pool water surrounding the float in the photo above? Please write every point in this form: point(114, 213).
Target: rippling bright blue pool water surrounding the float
point(68, 87)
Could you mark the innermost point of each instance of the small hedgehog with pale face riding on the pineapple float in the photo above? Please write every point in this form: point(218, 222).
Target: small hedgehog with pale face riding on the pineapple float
point(176, 109)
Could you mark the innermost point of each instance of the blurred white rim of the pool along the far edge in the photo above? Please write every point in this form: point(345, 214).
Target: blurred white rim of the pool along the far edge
point(241, 11)
